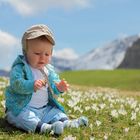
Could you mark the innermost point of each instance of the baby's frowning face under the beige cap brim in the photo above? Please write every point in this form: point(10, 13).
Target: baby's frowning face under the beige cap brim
point(38, 53)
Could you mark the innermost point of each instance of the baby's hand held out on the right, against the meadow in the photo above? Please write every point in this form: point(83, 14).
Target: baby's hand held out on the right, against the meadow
point(62, 86)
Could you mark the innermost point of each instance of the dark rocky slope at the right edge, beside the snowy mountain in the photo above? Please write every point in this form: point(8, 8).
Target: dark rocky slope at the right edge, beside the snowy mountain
point(132, 57)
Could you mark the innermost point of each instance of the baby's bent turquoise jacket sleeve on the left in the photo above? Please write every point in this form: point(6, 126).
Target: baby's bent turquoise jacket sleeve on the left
point(19, 82)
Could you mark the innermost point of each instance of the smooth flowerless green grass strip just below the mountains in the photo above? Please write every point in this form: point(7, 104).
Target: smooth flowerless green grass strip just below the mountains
point(119, 79)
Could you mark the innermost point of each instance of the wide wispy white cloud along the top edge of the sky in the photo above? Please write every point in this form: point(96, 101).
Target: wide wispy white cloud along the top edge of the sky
point(31, 7)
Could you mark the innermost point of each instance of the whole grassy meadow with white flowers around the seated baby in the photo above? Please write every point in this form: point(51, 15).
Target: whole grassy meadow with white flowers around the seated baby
point(111, 115)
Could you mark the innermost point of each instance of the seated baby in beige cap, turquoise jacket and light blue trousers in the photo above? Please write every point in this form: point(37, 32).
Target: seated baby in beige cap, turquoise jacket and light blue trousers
point(31, 102)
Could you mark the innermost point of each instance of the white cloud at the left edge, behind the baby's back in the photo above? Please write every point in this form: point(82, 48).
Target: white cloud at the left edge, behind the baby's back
point(8, 49)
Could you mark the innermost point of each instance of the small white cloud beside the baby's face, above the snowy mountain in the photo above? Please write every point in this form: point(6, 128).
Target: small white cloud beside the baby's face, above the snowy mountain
point(66, 53)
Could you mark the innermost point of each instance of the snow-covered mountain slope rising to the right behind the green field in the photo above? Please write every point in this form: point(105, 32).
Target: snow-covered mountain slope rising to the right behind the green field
point(107, 57)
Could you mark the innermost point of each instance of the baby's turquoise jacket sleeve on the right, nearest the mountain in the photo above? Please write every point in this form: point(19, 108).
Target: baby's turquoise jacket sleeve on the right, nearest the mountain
point(54, 78)
